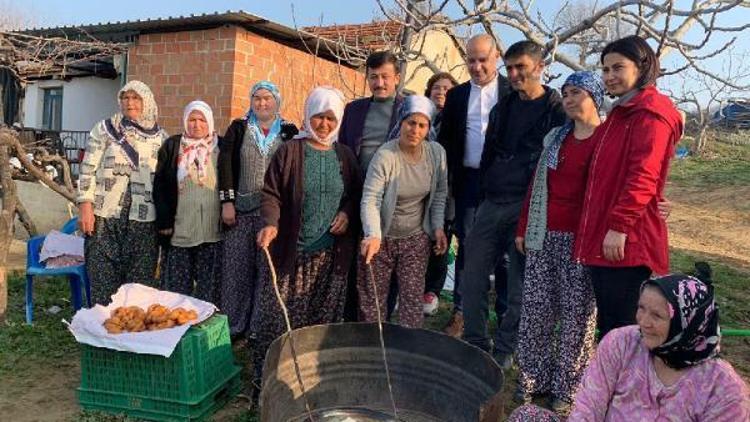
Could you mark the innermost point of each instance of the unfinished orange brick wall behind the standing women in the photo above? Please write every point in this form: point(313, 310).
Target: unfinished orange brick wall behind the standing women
point(220, 65)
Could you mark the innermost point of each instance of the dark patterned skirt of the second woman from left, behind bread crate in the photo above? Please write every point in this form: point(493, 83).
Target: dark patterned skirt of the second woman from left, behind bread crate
point(193, 271)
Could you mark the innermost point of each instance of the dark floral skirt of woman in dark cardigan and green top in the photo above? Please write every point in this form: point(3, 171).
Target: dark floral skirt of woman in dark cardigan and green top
point(312, 294)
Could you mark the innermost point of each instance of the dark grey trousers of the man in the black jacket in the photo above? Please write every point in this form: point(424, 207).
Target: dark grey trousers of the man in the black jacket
point(492, 236)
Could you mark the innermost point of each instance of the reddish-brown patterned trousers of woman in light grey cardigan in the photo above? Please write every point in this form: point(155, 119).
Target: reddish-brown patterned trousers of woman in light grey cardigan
point(408, 258)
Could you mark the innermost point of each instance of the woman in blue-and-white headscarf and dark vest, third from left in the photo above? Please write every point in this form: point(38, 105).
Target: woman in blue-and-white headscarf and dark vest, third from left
point(246, 151)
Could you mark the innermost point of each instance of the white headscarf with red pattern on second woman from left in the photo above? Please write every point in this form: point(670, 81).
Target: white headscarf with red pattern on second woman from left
point(192, 150)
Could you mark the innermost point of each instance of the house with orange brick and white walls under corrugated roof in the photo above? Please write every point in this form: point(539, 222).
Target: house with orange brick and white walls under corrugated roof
point(213, 57)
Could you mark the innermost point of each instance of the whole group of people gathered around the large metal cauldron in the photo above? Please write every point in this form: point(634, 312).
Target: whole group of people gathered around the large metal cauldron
point(562, 208)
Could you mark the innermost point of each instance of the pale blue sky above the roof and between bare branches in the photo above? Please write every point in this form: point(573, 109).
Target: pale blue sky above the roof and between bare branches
point(45, 13)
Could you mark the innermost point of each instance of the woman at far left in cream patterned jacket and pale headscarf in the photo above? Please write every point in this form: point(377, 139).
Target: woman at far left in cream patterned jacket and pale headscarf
point(116, 209)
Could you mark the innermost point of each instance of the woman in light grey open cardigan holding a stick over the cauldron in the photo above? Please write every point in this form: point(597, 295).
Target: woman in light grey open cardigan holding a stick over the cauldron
point(403, 213)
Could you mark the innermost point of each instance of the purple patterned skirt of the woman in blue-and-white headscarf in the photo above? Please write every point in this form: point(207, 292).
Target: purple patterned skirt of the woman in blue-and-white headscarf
point(242, 263)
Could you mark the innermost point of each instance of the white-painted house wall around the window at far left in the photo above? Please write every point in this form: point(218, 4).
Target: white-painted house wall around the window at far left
point(85, 101)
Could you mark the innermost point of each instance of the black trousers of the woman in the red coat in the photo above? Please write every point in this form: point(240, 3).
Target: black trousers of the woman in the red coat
point(617, 290)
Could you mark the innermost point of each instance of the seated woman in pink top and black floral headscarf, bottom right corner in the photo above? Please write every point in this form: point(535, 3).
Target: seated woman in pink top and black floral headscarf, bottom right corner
point(667, 367)
